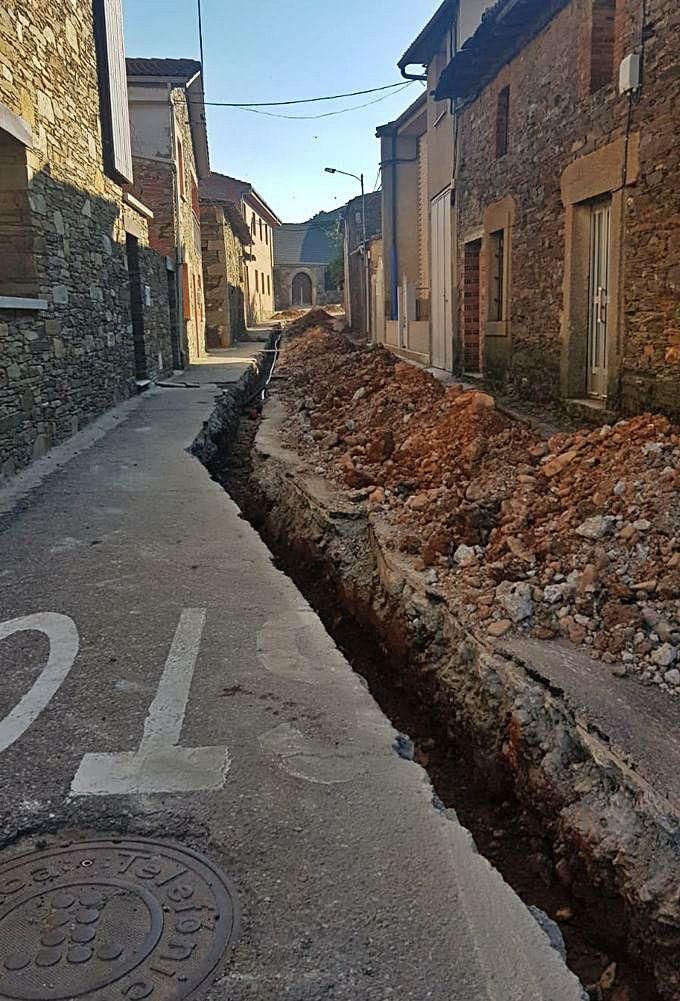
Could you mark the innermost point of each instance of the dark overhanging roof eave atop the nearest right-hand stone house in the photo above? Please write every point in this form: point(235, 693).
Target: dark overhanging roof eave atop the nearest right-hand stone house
point(505, 31)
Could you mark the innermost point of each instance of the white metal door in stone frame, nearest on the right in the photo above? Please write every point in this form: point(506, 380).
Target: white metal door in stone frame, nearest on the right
point(599, 300)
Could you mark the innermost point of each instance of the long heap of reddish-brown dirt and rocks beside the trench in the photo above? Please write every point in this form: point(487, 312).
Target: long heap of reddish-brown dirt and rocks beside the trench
point(575, 537)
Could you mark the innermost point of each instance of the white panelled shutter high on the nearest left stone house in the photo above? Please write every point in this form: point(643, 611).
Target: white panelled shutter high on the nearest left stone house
point(116, 121)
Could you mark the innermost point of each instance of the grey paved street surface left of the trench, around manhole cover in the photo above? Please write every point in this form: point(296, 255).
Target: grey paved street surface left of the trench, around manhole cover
point(194, 696)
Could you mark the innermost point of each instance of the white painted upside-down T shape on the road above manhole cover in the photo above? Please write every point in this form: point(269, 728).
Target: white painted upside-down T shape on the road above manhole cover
point(161, 766)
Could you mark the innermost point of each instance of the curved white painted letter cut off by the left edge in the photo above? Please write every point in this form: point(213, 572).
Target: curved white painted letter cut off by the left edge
point(65, 643)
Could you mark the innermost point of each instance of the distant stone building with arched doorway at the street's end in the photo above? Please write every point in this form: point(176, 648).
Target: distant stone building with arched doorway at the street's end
point(304, 254)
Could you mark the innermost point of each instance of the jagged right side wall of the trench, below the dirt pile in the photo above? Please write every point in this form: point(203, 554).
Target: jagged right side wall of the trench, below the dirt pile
point(616, 829)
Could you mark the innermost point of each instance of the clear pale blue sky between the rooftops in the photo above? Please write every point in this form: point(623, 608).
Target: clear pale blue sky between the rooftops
point(271, 51)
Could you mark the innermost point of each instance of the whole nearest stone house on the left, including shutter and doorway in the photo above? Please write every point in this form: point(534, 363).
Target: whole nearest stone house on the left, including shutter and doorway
point(84, 302)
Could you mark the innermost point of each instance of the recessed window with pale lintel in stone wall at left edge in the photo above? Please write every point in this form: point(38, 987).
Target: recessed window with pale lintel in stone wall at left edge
point(19, 277)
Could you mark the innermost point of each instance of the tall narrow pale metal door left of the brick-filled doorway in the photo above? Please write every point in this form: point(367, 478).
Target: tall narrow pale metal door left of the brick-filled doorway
point(441, 295)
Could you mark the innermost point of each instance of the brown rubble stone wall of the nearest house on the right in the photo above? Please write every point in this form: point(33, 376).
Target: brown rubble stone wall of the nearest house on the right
point(555, 123)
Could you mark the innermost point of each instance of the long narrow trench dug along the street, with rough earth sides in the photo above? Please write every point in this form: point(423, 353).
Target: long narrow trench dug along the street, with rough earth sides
point(549, 804)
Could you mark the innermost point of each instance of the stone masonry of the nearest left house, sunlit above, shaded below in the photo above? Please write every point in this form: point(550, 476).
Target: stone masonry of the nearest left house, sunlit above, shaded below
point(64, 365)
